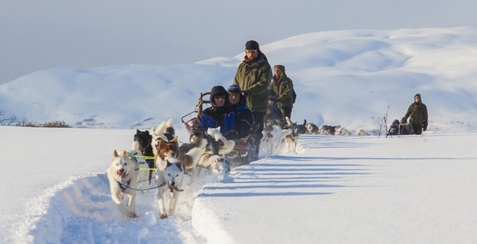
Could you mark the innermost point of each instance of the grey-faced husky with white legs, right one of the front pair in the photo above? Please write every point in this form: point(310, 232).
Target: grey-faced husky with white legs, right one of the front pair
point(169, 175)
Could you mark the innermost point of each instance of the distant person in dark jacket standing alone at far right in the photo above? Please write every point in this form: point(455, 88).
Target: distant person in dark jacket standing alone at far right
point(418, 113)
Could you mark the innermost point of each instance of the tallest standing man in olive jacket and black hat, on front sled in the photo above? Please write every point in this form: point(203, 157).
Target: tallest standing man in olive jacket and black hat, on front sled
point(253, 75)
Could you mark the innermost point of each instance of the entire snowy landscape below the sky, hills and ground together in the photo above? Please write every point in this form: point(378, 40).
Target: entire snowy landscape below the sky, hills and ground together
point(334, 189)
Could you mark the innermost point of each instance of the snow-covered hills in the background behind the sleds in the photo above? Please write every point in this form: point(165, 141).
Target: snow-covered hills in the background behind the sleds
point(341, 77)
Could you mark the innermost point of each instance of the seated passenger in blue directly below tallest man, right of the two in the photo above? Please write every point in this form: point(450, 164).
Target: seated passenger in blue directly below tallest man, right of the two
point(243, 116)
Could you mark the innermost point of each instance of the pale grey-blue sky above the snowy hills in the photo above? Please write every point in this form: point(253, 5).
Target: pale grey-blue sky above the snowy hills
point(43, 34)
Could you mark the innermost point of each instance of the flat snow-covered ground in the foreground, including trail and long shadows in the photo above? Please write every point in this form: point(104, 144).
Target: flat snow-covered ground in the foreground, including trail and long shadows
point(415, 189)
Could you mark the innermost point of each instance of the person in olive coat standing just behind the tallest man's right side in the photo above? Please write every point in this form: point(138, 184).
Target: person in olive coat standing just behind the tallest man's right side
point(282, 87)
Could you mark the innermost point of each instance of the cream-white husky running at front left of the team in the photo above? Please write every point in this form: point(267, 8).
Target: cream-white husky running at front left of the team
point(122, 176)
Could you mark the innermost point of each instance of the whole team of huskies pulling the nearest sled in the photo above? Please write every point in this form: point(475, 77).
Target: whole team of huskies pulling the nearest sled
point(159, 152)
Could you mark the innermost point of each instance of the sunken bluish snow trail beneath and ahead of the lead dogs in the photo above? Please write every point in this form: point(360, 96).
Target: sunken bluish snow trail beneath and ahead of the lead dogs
point(81, 209)
